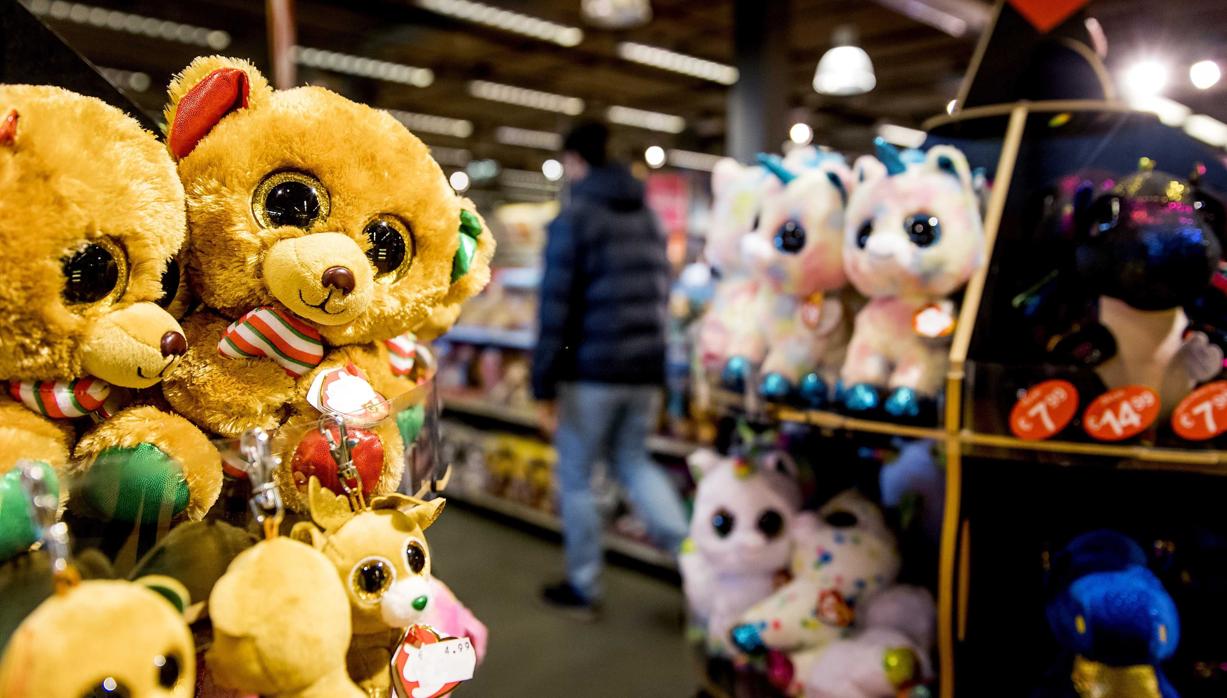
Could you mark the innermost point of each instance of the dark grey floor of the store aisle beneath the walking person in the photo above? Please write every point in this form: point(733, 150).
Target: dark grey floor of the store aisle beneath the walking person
point(635, 651)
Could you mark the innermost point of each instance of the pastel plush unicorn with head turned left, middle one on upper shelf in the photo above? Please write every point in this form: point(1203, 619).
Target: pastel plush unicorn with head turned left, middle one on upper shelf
point(796, 255)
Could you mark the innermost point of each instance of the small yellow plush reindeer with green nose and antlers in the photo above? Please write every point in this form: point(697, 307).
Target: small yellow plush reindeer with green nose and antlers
point(383, 561)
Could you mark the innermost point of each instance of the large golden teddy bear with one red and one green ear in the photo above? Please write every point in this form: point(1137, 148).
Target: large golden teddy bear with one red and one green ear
point(321, 230)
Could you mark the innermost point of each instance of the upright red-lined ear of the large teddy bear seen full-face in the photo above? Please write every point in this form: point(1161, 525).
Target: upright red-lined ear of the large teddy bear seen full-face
point(206, 93)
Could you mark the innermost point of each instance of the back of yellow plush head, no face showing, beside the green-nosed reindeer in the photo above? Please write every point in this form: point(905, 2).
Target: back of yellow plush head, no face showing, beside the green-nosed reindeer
point(282, 625)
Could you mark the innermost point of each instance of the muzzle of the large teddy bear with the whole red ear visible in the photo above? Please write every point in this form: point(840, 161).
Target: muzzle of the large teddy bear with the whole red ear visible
point(325, 278)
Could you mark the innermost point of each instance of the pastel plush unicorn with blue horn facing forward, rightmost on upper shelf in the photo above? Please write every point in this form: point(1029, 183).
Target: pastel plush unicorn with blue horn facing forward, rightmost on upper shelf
point(914, 237)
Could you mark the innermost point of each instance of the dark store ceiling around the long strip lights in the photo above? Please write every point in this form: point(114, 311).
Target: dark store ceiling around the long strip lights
point(918, 67)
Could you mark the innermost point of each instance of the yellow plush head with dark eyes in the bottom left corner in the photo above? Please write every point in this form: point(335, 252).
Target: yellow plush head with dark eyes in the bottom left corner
point(99, 630)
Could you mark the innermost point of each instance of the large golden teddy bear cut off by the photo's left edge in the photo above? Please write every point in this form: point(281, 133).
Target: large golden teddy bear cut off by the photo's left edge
point(91, 213)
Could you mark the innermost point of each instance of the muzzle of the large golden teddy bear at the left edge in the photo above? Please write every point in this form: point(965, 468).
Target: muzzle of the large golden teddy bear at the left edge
point(134, 347)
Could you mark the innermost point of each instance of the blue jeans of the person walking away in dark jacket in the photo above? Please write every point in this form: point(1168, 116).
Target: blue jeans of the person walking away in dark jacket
point(610, 423)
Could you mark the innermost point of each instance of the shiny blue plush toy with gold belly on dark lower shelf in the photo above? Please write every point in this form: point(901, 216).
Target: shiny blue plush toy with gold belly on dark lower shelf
point(1115, 618)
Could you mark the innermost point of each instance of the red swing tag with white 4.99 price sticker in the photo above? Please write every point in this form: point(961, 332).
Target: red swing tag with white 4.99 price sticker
point(428, 665)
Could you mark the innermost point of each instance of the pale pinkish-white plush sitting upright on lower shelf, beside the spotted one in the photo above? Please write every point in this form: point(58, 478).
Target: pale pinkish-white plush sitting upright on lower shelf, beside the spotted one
point(740, 538)
